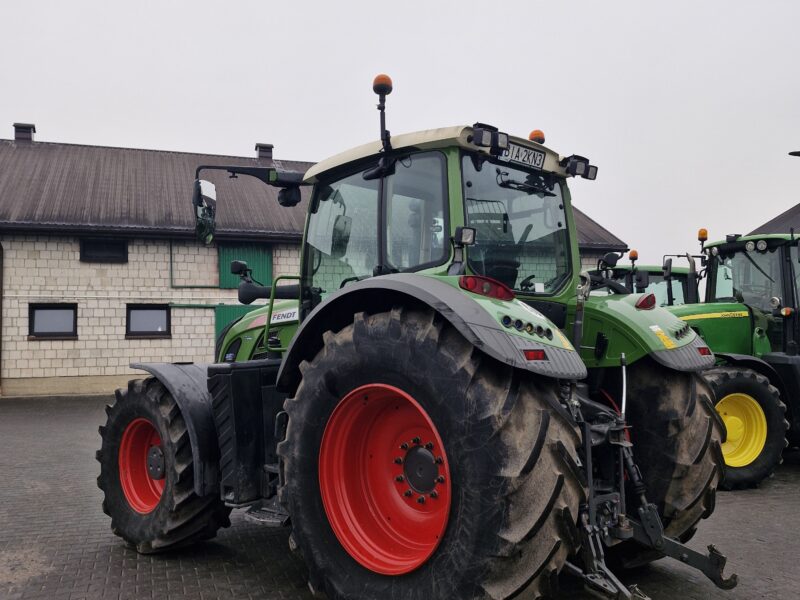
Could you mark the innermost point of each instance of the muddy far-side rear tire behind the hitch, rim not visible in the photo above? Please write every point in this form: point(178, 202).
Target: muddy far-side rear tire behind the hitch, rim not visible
point(677, 437)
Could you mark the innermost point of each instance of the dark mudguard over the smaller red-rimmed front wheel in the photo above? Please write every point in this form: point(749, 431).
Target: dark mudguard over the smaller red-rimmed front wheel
point(188, 384)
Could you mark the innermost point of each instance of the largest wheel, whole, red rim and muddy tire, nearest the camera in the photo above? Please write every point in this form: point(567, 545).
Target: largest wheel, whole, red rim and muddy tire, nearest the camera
point(417, 468)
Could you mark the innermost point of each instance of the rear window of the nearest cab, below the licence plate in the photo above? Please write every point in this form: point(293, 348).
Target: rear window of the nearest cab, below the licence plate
point(521, 236)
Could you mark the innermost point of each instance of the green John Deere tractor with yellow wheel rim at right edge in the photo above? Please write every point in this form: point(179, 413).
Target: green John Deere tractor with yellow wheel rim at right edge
point(749, 320)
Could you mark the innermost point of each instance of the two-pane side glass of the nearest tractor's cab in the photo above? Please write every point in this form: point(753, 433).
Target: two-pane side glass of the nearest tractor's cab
point(342, 239)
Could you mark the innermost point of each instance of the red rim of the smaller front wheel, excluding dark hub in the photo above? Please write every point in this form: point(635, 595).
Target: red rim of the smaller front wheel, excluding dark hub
point(141, 491)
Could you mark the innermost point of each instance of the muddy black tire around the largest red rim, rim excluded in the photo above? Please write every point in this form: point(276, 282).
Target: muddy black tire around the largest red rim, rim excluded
point(511, 446)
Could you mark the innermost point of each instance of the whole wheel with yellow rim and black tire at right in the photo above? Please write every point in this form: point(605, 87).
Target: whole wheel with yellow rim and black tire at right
point(755, 418)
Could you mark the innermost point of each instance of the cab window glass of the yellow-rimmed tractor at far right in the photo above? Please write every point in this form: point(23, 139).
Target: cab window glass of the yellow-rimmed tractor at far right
point(748, 277)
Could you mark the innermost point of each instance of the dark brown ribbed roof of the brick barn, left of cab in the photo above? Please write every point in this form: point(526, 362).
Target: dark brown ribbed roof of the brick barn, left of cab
point(75, 188)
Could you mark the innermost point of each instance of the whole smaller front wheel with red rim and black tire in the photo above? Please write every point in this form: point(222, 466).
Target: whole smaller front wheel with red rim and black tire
point(147, 476)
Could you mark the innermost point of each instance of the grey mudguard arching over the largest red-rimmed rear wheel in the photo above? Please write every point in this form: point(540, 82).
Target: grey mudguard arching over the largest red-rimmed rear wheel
point(379, 294)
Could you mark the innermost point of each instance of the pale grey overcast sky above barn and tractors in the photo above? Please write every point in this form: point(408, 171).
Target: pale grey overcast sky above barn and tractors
point(689, 108)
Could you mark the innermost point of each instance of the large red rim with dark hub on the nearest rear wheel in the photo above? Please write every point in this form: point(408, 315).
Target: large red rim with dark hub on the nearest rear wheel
point(384, 479)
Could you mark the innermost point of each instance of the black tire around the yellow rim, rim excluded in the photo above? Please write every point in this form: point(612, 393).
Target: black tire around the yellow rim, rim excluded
point(729, 380)
